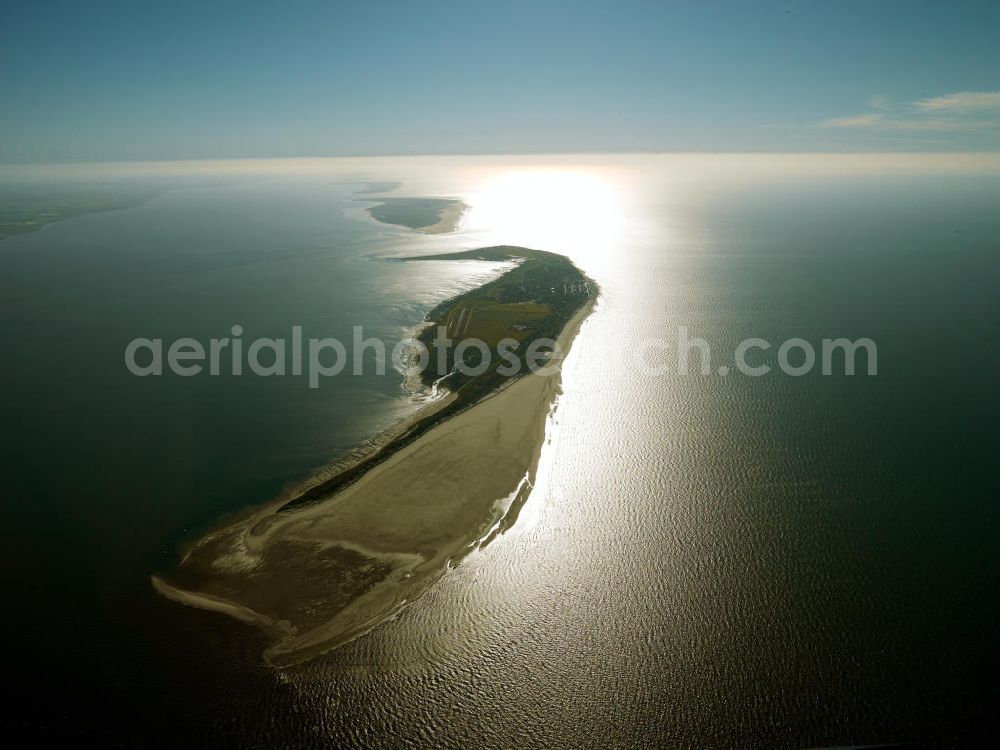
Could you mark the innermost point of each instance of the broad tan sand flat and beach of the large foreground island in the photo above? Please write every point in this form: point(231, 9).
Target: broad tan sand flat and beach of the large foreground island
point(320, 576)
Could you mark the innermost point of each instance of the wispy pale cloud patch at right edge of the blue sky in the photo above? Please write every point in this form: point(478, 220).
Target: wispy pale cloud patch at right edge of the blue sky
point(961, 112)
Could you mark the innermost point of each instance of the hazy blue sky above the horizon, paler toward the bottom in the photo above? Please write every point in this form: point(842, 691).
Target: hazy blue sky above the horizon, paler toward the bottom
point(83, 81)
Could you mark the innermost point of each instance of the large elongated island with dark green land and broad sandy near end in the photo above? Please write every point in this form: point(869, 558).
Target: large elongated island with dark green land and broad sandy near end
point(327, 562)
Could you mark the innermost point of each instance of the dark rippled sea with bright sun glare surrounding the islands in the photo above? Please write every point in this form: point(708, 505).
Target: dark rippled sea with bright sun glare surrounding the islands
point(706, 561)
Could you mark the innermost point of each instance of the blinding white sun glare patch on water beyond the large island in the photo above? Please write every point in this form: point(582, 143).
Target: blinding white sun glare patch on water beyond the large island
point(572, 211)
